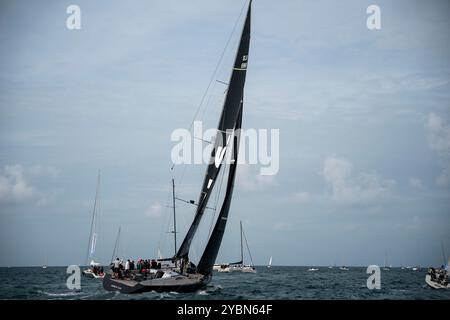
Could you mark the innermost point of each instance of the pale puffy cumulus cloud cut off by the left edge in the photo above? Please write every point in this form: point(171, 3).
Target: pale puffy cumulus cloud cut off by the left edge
point(14, 188)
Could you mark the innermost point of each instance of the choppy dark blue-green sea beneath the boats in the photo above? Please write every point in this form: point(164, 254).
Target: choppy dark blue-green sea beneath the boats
point(275, 283)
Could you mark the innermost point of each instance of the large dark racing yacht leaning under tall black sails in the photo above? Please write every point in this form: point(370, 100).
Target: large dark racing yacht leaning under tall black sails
point(184, 276)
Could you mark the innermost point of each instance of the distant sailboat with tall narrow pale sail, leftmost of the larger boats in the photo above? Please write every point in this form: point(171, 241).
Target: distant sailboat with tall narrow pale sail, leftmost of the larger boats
point(94, 269)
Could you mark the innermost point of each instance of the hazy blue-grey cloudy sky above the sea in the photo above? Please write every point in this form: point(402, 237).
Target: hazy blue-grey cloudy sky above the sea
point(363, 116)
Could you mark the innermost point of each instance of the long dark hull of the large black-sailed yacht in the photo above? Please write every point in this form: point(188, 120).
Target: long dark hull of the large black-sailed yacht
point(191, 283)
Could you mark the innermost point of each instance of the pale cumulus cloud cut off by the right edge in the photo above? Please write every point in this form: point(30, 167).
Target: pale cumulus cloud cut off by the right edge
point(439, 141)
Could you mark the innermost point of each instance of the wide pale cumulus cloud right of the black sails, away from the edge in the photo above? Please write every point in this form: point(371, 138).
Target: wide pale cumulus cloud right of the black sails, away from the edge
point(354, 189)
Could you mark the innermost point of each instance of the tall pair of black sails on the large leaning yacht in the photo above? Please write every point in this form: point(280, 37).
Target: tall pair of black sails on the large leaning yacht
point(230, 121)
